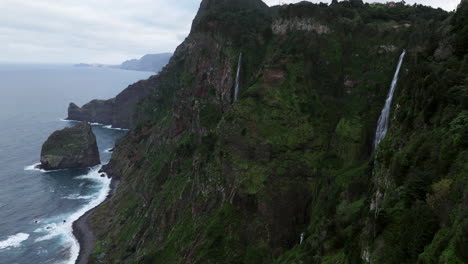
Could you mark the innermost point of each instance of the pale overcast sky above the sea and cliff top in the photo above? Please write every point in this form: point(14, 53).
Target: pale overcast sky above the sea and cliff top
point(104, 31)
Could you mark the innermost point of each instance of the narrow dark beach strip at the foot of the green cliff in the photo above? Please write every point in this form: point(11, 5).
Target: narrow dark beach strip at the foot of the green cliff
point(83, 232)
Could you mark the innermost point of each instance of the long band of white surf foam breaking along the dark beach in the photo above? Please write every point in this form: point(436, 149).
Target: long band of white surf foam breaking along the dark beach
point(57, 227)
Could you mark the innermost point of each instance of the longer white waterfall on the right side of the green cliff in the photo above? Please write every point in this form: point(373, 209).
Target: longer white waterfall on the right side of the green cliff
point(382, 125)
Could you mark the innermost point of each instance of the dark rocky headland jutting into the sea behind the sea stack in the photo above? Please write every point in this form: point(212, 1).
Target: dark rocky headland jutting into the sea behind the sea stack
point(117, 111)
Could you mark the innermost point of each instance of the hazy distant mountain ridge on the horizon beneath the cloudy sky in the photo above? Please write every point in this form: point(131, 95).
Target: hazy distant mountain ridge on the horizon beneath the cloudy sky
point(149, 62)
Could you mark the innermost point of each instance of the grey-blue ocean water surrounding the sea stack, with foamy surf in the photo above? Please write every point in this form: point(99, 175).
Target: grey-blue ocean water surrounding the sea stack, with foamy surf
point(37, 208)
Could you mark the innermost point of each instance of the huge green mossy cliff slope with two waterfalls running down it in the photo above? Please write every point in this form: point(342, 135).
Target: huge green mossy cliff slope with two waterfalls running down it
point(208, 180)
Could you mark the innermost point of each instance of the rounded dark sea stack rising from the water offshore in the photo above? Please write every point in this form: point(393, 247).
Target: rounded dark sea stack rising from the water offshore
point(71, 147)
